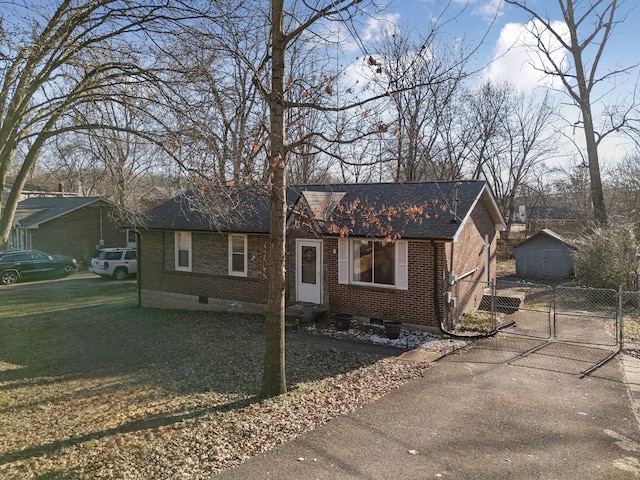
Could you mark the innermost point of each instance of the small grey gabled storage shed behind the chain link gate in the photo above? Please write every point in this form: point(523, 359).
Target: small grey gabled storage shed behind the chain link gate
point(545, 254)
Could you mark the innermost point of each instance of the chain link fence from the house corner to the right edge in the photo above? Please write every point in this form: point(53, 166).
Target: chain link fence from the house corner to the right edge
point(591, 316)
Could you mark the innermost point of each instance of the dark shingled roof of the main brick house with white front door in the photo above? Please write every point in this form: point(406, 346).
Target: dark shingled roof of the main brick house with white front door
point(418, 210)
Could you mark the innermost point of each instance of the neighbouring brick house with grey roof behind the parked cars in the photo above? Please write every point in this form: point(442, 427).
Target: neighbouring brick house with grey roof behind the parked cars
point(73, 226)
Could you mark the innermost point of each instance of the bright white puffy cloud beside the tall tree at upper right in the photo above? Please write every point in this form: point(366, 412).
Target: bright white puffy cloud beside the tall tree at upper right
point(516, 57)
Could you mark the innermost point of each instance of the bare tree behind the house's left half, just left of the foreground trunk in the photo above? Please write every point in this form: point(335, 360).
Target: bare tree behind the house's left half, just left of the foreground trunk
point(219, 118)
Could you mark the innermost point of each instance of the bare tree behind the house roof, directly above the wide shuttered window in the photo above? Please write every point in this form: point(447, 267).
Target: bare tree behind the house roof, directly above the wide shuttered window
point(423, 77)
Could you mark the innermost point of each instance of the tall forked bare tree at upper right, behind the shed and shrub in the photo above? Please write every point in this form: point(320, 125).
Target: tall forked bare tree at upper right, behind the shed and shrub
point(590, 25)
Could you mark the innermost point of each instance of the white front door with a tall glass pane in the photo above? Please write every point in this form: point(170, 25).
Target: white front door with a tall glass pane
point(309, 270)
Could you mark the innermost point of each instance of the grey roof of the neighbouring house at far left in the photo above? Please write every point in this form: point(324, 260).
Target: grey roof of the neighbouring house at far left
point(37, 210)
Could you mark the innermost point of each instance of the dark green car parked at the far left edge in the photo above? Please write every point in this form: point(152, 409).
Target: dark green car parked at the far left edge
point(29, 264)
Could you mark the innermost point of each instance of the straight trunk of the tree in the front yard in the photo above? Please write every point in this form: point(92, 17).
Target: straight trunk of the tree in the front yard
point(274, 378)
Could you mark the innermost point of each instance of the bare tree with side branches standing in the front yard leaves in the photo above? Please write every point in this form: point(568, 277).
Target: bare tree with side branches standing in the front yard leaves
point(287, 28)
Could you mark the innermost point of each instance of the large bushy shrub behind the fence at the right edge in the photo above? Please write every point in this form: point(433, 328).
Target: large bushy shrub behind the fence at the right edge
point(609, 257)
